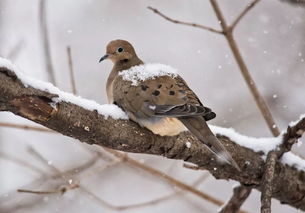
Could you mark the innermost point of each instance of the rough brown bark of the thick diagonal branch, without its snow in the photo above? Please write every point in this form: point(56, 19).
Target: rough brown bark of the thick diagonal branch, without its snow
point(90, 127)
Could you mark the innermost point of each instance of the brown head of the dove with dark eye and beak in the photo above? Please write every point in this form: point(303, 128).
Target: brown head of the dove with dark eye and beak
point(119, 51)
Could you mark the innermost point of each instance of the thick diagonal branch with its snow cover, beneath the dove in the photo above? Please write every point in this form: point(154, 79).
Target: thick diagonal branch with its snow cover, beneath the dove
point(108, 126)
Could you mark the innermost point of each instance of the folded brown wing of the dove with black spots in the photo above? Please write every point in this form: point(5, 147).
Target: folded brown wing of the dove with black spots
point(163, 96)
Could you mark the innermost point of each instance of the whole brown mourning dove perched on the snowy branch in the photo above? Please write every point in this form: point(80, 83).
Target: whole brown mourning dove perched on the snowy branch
point(163, 103)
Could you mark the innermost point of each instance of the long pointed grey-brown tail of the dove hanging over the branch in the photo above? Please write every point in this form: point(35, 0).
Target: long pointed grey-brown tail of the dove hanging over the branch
point(199, 127)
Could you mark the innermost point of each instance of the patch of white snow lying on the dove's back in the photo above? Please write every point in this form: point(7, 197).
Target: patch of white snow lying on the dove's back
point(144, 72)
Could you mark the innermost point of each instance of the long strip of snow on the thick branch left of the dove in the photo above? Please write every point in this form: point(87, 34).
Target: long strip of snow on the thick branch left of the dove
point(106, 109)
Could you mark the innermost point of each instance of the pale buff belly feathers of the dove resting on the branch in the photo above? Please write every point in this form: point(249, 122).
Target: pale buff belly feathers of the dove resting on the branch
point(163, 126)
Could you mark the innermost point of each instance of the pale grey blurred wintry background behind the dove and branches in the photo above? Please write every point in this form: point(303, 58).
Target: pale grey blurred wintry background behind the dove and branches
point(271, 39)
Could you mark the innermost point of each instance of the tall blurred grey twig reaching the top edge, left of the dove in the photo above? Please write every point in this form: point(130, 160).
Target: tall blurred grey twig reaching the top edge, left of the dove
point(46, 41)
